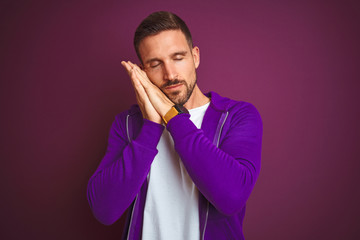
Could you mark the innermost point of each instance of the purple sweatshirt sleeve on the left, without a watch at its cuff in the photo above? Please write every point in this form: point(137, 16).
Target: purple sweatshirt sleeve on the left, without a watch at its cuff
point(122, 171)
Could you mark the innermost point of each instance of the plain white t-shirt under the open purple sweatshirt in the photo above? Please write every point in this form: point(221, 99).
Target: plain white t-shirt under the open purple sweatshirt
point(172, 207)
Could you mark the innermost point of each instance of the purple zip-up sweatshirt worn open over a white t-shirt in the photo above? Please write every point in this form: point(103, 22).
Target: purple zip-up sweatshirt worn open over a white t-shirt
point(222, 158)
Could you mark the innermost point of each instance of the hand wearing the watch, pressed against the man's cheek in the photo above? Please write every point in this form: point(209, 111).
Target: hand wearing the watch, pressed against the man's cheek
point(158, 99)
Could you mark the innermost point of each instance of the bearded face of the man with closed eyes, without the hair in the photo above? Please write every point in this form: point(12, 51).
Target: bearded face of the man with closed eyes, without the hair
point(170, 64)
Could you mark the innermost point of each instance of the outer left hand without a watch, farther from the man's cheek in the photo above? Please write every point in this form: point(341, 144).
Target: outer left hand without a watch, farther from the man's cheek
point(147, 109)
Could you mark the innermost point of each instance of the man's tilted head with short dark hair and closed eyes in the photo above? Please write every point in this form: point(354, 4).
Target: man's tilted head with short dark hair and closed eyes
point(164, 46)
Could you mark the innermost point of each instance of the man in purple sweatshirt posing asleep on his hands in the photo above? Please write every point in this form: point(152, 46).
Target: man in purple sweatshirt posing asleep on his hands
point(182, 163)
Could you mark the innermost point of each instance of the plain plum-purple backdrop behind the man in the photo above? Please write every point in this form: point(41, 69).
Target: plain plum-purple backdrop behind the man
point(62, 85)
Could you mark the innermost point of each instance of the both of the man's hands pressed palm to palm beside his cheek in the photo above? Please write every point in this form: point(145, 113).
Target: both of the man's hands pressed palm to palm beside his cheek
point(152, 101)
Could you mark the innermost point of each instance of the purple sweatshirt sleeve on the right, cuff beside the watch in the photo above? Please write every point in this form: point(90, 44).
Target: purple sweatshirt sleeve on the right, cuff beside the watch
point(225, 175)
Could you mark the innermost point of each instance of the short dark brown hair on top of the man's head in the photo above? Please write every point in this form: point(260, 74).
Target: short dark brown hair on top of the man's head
point(158, 22)
